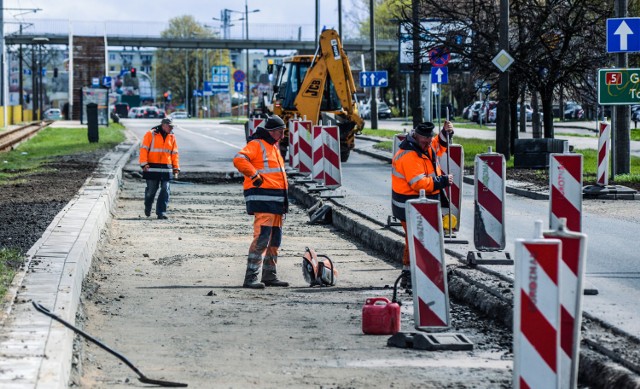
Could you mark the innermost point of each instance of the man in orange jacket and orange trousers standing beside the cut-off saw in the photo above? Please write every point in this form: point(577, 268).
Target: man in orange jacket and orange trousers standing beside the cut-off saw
point(265, 193)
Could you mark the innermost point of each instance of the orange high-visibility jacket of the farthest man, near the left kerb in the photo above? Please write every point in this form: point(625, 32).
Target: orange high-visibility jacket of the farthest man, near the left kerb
point(160, 152)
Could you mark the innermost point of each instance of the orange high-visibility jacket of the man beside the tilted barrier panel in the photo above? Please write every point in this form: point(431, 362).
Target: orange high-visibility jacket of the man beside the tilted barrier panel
point(413, 169)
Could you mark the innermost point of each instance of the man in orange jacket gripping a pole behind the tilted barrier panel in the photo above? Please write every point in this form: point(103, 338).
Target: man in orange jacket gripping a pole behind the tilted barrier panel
point(414, 167)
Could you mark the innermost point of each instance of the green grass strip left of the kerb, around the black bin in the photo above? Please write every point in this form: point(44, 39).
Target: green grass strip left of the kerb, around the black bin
point(53, 142)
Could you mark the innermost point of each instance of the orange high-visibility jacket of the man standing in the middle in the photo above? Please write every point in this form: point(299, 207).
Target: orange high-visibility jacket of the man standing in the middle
point(261, 157)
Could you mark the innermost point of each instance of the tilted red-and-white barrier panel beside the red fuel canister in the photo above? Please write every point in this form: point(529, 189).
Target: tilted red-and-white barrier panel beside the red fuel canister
point(428, 267)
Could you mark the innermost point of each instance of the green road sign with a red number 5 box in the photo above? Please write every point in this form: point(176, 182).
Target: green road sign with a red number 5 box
point(618, 86)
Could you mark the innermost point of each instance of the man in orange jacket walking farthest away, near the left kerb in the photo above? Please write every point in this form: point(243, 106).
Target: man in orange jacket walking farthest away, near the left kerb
point(159, 160)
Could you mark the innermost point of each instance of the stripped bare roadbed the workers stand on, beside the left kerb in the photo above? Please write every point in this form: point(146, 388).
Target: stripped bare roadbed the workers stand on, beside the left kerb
point(168, 295)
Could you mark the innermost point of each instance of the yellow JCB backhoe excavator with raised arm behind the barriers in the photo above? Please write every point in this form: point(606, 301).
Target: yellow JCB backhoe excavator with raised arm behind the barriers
point(317, 87)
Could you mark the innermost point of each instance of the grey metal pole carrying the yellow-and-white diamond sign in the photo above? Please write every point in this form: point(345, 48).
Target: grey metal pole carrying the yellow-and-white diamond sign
point(503, 122)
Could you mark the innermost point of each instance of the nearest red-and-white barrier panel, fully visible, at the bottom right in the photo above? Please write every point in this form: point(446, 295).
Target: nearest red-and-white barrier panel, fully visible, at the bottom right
point(536, 318)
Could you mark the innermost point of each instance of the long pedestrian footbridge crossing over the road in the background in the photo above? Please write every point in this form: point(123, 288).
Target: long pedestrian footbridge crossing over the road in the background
point(300, 37)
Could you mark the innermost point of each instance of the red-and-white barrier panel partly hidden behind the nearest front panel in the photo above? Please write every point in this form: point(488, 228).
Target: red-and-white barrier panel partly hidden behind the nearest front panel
point(571, 276)
